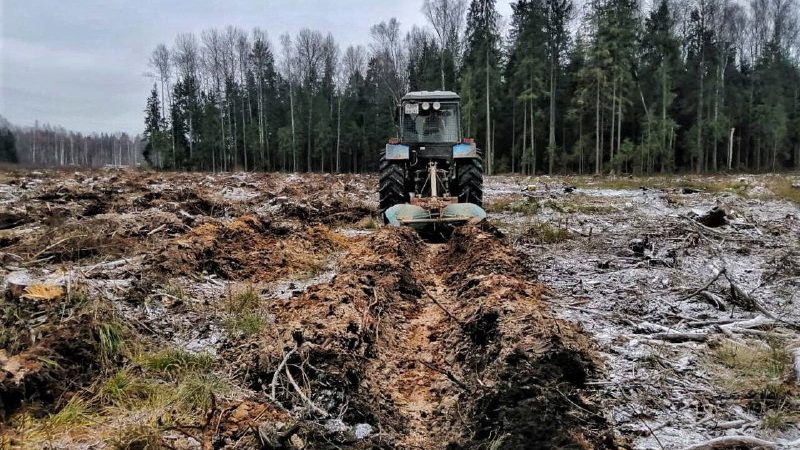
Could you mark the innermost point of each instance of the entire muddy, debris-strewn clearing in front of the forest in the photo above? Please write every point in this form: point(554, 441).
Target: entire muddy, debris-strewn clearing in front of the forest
point(148, 310)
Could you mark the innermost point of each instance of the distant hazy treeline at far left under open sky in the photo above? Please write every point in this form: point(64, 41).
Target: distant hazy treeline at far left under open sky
point(49, 146)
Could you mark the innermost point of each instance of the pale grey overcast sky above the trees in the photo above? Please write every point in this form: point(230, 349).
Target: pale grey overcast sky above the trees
point(82, 64)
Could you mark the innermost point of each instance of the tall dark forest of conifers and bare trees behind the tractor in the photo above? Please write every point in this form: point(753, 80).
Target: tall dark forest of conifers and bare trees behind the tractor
point(699, 85)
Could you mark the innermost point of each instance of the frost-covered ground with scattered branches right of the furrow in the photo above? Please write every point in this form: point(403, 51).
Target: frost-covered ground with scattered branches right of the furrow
point(697, 324)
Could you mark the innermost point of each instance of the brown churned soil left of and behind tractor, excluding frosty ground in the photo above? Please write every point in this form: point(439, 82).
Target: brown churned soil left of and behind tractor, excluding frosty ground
point(161, 310)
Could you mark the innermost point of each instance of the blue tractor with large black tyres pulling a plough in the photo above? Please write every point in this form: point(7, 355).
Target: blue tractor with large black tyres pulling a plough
point(431, 177)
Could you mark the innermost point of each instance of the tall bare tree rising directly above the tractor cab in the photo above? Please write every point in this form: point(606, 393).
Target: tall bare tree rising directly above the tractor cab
point(447, 19)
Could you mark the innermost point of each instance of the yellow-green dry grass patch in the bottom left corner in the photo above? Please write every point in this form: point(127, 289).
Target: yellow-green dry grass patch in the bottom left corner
point(130, 408)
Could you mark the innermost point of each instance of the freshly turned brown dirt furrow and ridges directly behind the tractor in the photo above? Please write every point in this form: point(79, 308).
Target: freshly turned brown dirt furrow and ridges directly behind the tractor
point(483, 364)
